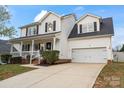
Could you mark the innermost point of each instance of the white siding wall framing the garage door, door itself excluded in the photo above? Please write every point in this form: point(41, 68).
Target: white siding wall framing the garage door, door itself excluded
point(91, 43)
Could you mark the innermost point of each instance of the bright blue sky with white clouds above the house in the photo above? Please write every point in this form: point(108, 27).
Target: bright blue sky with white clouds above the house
point(25, 14)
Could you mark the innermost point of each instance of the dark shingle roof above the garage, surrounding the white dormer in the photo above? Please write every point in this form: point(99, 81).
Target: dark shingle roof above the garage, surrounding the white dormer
point(106, 28)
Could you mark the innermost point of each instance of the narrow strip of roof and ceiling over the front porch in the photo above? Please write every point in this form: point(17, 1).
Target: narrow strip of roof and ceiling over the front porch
point(35, 37)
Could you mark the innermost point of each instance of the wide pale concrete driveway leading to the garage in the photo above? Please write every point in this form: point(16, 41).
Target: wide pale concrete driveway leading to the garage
point(71, 75)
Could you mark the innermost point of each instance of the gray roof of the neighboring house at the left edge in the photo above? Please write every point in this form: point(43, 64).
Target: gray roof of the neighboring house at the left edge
point(4, 47)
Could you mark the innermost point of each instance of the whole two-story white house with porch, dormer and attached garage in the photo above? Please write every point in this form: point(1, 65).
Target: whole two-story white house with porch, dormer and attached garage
point(86, 40)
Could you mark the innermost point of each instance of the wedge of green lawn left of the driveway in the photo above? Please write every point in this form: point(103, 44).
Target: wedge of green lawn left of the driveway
point(10, 70)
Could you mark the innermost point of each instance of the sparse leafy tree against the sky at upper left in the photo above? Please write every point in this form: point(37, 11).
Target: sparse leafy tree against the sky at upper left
point(5, 28)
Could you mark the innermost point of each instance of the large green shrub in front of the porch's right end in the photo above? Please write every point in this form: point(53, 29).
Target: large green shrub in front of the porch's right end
point(50, 56)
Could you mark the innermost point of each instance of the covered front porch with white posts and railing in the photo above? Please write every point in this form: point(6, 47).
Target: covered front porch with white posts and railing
point(33, 47)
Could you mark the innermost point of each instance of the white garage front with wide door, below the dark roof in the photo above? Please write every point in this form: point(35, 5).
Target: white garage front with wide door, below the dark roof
point(90, 50)
